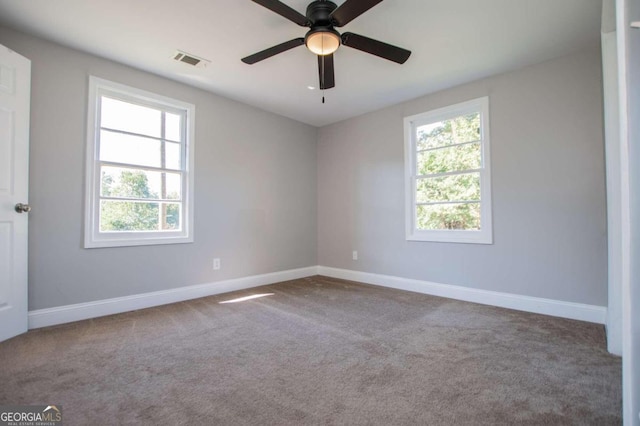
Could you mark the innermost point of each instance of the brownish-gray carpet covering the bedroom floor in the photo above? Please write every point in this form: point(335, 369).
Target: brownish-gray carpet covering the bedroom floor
point(318, 351)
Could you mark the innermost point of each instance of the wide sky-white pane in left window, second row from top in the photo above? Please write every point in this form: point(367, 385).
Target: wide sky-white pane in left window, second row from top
point(136, 150)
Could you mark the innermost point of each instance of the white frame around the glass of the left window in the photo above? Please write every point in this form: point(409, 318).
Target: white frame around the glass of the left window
point(93, 238)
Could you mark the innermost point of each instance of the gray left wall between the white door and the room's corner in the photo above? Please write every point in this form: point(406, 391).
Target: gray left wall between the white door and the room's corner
point(255, 188)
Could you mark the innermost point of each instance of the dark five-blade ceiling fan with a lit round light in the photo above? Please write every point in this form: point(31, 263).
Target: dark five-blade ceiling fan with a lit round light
point(322, 39)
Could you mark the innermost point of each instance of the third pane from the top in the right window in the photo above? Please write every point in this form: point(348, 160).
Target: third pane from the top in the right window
point(465, 187)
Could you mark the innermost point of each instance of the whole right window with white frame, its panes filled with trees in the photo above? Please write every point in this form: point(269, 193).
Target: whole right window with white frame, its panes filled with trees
point(448, 182)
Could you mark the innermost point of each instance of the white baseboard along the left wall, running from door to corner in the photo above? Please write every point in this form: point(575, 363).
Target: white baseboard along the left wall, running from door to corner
point(69, 313)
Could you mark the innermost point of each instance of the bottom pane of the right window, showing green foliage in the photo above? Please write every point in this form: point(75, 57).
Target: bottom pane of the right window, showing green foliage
point(449, 216)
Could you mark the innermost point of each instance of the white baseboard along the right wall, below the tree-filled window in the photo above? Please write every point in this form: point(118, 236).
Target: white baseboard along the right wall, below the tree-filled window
point(556, 308)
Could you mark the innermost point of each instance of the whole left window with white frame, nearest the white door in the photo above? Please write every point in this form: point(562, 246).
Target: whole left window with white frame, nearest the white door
point(139, 167)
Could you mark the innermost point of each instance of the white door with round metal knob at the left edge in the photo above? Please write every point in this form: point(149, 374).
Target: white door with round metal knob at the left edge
point(15, 87)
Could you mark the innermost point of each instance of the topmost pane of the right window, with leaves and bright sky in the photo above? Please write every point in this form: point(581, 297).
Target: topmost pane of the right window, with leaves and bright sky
point(465, 128)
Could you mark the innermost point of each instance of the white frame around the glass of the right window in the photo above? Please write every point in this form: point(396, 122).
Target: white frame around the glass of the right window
point(485, 234)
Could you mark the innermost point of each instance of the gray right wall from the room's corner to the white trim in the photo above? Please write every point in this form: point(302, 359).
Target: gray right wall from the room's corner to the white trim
point(549, 207)
